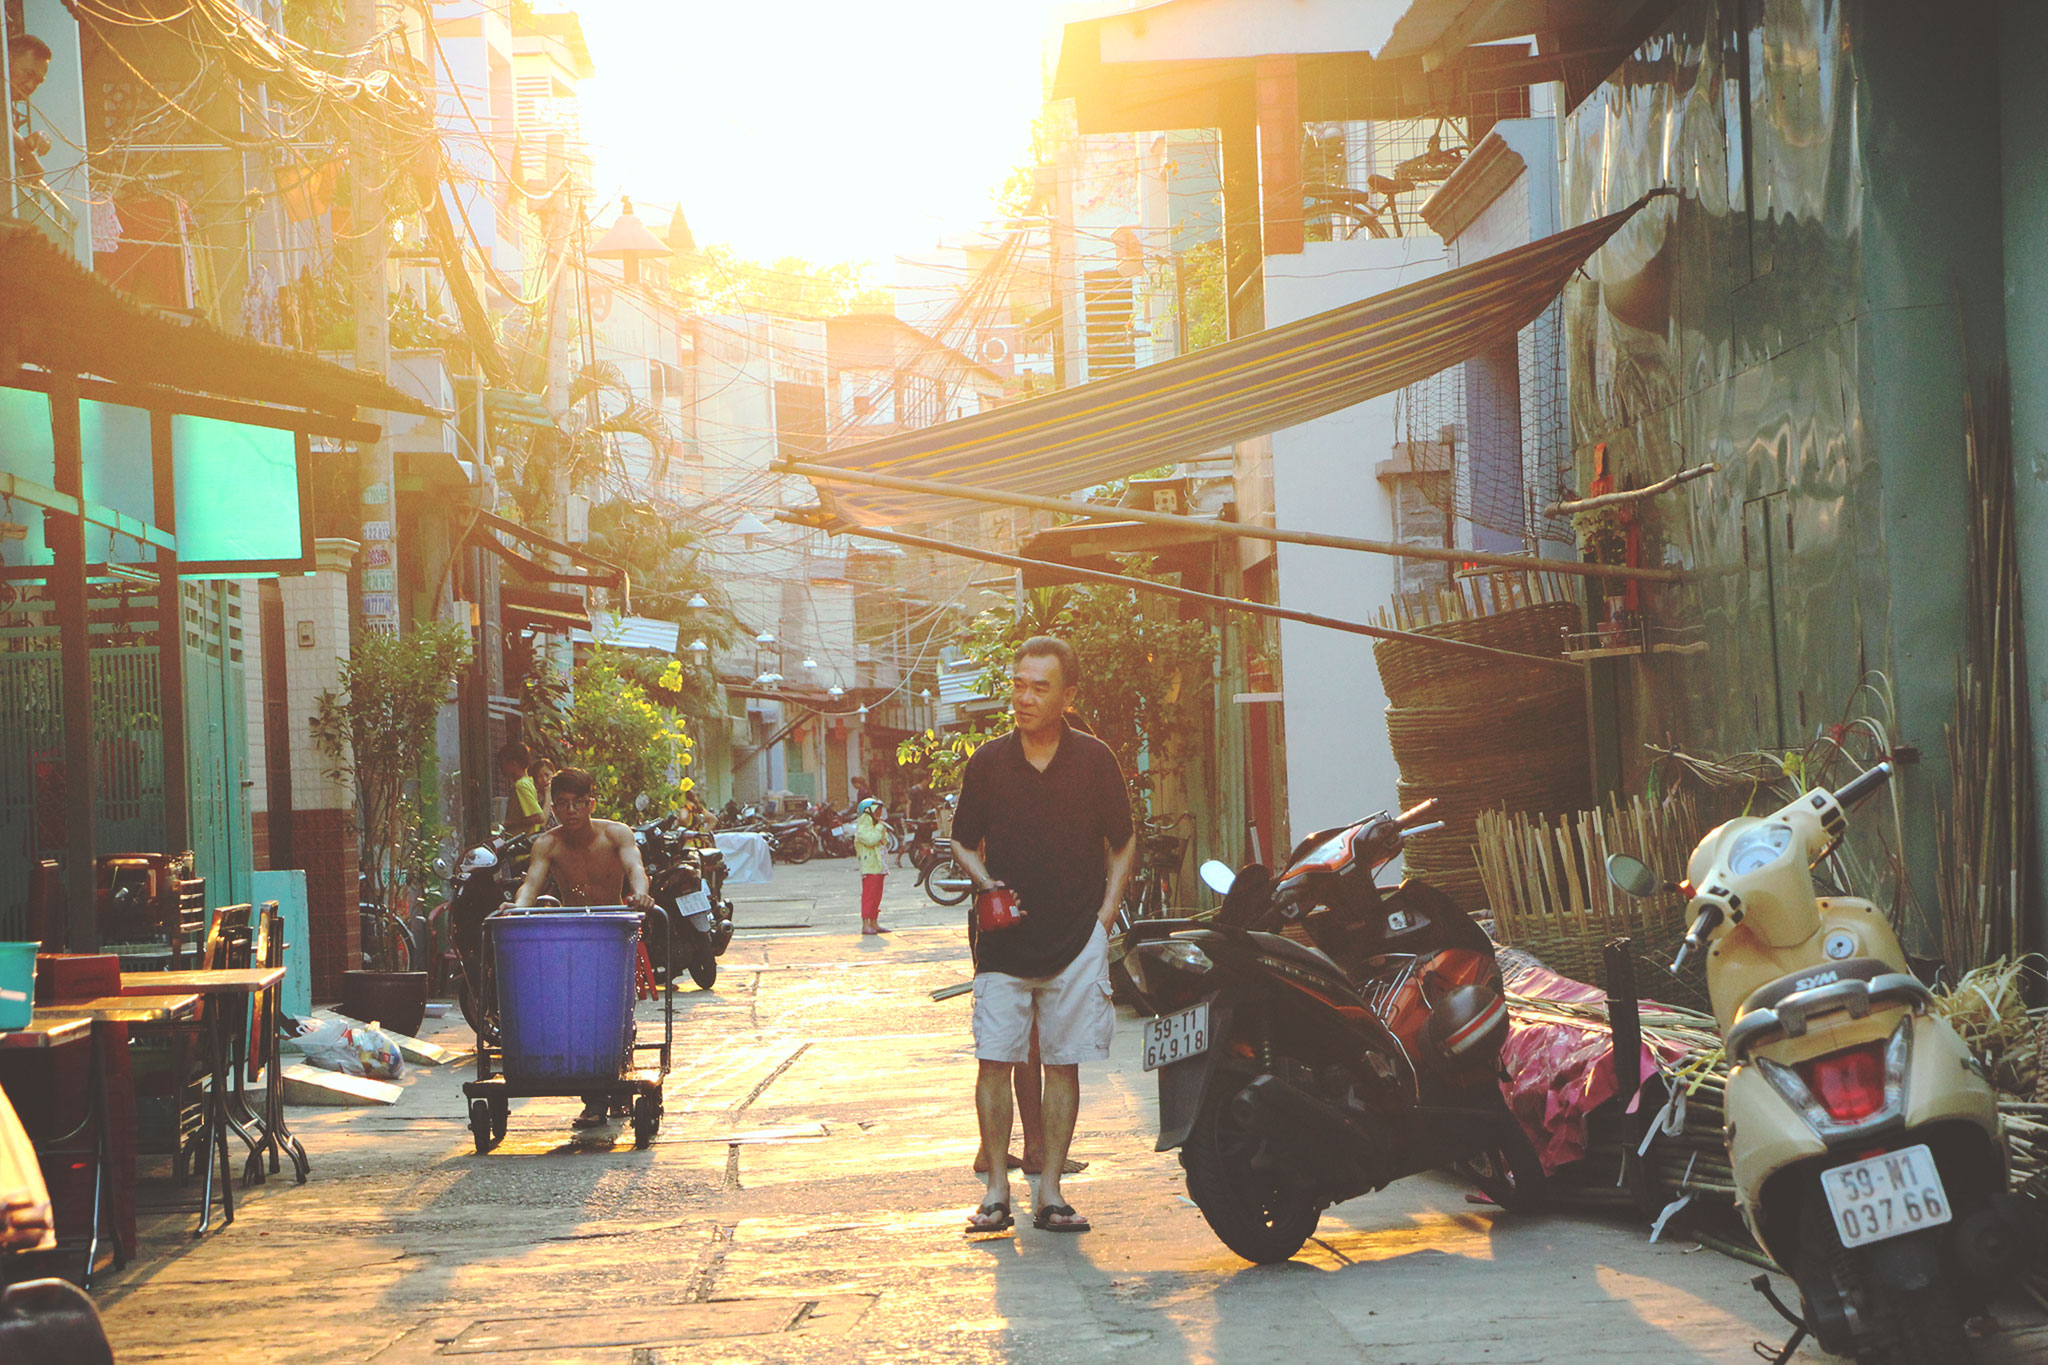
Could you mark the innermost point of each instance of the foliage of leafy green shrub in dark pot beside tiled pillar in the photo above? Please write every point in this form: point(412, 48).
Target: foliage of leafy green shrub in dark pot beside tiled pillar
point(380, 732)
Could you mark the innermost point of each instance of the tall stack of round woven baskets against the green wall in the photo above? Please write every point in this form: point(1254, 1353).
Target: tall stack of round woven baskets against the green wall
point(1482, 736)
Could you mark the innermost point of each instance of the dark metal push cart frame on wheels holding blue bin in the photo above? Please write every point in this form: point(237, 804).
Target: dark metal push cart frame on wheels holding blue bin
point(628, 1084)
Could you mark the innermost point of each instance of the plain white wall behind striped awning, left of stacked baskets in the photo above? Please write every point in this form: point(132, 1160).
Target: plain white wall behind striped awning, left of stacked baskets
point(1340, 762)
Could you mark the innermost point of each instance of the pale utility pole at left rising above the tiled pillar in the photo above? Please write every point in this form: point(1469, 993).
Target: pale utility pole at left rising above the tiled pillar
point(372, 298)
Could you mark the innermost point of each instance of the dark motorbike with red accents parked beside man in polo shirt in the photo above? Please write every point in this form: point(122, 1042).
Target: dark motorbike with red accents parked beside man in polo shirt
point(1302, 1075)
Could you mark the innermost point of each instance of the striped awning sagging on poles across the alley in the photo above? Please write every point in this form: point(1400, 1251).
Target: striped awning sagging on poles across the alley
point(1189, 406)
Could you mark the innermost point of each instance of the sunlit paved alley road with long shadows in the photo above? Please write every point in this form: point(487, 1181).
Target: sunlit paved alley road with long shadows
point(806, 1202)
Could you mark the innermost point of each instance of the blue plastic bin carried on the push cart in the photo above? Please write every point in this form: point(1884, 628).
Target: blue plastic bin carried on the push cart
point(564, 992)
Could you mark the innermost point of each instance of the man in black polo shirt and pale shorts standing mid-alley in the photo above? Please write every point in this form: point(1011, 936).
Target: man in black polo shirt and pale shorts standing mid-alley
point(1043, 811)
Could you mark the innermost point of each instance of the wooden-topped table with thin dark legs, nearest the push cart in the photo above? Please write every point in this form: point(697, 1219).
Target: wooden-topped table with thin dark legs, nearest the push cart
point(269, 1137)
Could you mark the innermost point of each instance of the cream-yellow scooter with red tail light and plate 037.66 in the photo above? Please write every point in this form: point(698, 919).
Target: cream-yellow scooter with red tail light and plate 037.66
point(1863, 1133)
